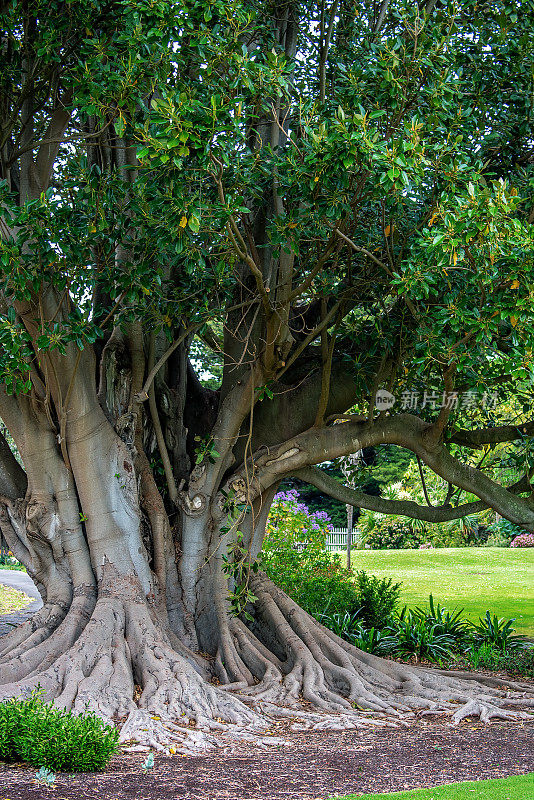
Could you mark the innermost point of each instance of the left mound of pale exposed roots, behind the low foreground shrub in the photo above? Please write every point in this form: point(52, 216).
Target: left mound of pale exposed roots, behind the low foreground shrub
point(120, 646)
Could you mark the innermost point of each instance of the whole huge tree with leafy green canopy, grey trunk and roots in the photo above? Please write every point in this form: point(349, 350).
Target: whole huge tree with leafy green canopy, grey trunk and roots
point(331, 200)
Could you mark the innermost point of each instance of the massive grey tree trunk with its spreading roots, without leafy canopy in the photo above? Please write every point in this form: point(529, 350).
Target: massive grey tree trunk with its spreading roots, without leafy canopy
point(157, 647)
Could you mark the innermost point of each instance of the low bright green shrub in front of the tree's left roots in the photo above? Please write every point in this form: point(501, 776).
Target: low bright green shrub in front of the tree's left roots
point(38, 733)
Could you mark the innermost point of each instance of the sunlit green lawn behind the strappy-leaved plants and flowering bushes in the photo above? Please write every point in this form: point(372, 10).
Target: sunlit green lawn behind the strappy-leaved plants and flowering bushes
point(473, 578)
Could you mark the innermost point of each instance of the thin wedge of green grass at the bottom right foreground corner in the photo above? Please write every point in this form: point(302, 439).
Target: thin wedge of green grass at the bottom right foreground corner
point(519, 787)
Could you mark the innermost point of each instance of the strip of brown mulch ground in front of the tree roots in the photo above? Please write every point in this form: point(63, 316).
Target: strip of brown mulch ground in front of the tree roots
point(315, 765)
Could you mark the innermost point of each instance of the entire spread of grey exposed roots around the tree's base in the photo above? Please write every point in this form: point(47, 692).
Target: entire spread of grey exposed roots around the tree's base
point(98, 655)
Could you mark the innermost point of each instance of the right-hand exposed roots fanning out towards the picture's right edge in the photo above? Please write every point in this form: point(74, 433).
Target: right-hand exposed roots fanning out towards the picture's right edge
point(292, 656)
